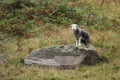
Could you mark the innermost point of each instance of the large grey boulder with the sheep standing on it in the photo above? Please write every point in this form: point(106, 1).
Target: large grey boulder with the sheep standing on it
point(62, 57)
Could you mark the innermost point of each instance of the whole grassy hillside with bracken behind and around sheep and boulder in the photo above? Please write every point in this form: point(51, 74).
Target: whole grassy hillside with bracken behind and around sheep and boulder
point(30, 28)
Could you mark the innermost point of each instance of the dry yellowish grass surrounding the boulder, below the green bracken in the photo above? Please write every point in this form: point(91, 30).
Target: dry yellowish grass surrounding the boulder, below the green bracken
point(107, 46)
